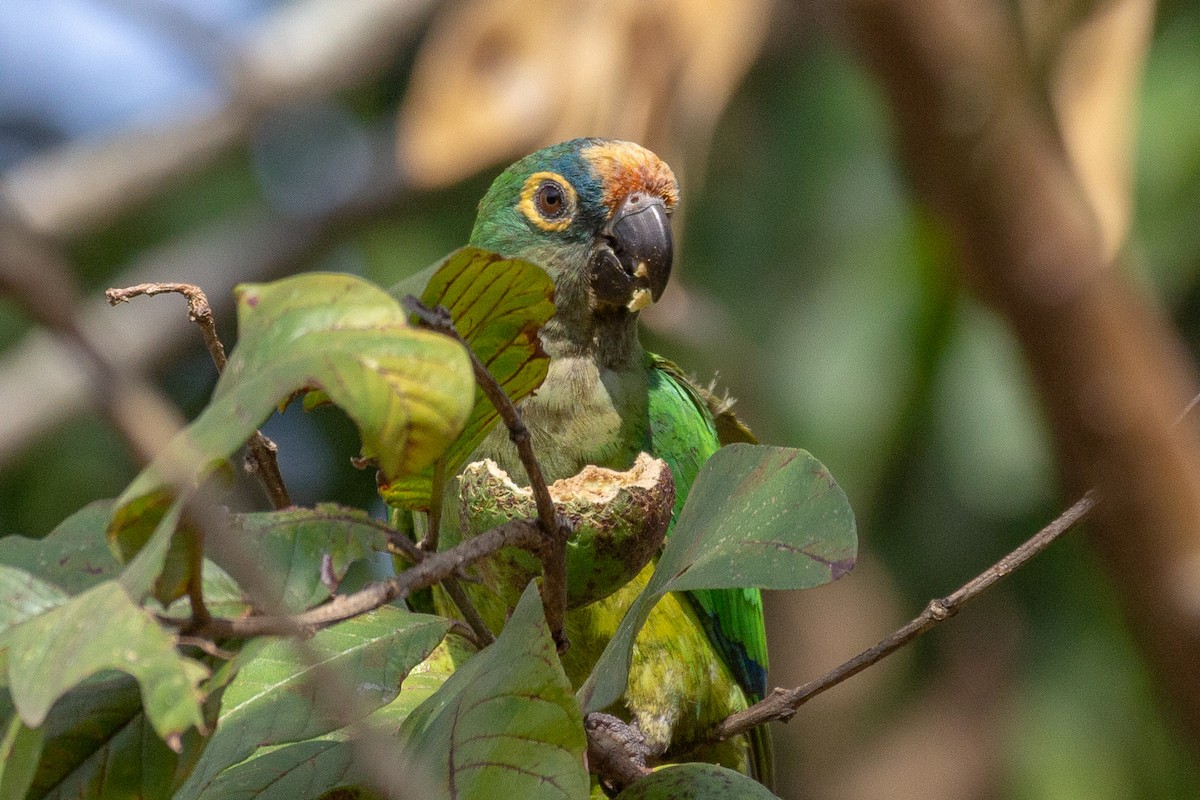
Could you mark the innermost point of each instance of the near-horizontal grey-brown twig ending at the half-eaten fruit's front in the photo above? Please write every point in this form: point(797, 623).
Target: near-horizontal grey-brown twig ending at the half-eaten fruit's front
point(435, 568)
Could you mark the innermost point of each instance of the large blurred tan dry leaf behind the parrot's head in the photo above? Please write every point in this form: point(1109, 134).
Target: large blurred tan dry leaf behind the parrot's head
point(496, 80)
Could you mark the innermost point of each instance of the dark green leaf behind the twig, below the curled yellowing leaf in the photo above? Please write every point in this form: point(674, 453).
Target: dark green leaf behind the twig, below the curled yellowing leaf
point(292, 548)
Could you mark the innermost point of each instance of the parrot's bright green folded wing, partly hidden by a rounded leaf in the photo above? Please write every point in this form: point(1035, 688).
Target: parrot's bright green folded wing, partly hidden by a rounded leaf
point(686, 428)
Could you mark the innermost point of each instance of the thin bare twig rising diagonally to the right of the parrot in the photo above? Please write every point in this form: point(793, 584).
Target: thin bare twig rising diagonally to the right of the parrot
point(783, 703)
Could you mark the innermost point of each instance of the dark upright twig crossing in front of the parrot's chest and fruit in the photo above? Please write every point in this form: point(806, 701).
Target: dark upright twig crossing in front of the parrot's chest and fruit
point(554, 556)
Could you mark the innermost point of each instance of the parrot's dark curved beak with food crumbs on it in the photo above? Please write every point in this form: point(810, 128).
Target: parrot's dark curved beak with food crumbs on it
point(633, 268)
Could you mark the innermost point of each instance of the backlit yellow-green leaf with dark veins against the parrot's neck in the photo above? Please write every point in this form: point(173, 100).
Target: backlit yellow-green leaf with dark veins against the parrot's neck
point(499, 306)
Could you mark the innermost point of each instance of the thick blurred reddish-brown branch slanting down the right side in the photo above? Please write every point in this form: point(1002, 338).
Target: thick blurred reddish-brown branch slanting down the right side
point(1109, 372)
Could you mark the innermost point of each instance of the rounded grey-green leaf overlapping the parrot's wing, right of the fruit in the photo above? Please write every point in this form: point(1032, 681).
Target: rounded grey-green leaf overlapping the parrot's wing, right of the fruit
point(757, 516)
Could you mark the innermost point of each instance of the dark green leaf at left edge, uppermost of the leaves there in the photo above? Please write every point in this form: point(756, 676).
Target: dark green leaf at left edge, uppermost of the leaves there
point(73, 557)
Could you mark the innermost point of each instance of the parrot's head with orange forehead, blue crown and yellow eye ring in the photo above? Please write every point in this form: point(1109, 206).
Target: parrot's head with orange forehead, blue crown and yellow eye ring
point(596, 214)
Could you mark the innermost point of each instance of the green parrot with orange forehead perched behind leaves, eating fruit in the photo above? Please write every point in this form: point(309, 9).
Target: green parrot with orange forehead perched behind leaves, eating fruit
point(596, 214)
